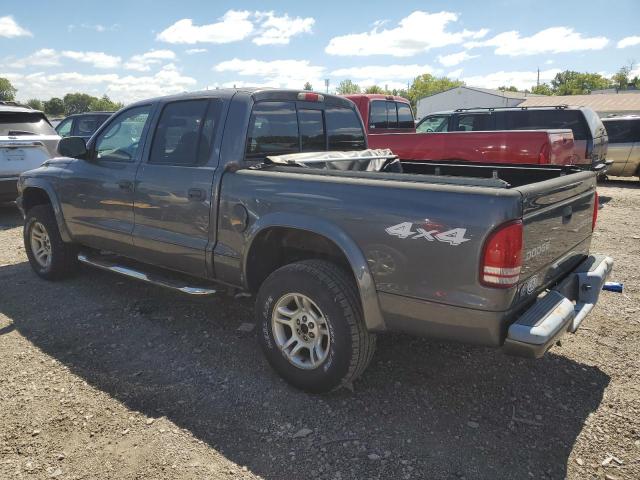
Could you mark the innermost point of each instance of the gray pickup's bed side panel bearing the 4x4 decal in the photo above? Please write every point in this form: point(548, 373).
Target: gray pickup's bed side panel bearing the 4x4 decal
point(375, 214)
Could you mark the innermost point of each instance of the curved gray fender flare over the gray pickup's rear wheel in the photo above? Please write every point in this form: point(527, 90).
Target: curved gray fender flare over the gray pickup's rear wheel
point(366, 287)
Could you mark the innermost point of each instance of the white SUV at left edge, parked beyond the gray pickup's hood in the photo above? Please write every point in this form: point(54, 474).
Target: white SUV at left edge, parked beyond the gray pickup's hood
point(27, 139)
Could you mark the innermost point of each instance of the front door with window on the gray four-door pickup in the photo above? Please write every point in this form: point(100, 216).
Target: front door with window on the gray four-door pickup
point(97, 198)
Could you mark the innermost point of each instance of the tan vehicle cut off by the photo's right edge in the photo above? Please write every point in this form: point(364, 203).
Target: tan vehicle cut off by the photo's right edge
point(624, 145)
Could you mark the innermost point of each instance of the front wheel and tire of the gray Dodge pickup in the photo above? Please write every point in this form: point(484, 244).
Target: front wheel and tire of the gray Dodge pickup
point(41, 230)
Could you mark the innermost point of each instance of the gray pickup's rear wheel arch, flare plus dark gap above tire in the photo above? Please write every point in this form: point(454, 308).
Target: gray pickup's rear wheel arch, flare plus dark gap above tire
point(279, 239)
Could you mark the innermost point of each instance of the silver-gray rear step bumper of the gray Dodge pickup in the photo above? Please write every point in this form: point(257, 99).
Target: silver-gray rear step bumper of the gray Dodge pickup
point(562, 309)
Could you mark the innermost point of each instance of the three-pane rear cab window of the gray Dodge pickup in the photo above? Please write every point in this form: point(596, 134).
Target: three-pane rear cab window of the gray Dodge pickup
point(282, 127)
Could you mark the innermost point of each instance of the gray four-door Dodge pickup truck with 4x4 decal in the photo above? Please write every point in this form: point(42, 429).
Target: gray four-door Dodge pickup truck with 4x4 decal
point(273, 193)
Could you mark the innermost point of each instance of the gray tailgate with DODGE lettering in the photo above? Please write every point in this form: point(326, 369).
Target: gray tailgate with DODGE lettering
point(557, 218)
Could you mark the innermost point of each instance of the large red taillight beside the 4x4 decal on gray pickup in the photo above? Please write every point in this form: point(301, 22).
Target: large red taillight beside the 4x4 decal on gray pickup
point(502, 256)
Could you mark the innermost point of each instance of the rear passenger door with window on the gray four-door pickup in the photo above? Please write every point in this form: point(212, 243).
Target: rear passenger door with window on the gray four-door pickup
point(174, 187)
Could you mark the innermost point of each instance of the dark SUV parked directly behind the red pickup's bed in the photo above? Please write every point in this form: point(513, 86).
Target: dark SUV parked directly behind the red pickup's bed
point(589, 133)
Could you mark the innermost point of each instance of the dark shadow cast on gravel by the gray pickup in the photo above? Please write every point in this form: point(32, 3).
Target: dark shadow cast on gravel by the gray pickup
point(423, 409)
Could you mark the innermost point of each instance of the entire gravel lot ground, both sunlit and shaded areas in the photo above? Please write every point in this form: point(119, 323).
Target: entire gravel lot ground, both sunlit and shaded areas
point(102, 377)
